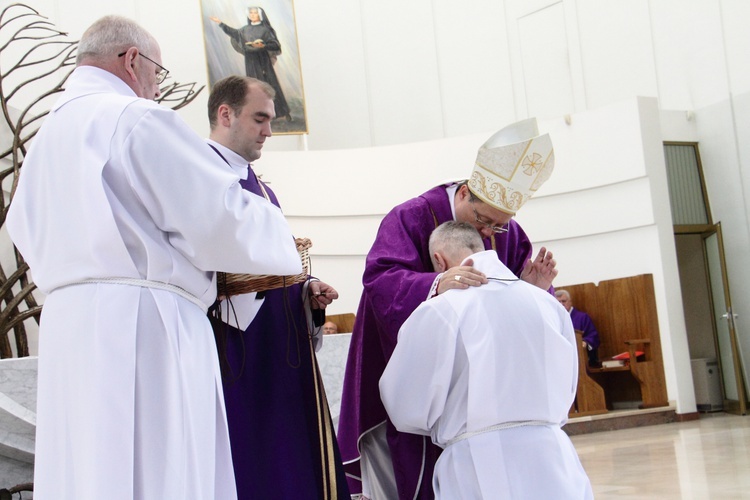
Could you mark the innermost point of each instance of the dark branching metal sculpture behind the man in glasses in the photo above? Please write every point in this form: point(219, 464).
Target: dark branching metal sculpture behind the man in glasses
point(37, 60)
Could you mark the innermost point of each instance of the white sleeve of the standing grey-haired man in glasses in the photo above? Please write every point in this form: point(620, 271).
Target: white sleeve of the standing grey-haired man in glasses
point(194, 197)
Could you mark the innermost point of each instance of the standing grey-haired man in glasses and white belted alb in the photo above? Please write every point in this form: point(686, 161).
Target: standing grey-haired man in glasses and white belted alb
point(124, 213)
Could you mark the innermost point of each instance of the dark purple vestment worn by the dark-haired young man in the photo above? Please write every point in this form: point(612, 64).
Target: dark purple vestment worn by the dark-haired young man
point(283, 443)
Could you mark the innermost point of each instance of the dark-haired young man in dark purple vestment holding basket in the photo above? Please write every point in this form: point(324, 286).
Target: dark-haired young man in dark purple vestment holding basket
point(280, 430)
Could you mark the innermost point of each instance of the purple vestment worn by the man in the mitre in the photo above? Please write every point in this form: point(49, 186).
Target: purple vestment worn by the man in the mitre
point(398, 277)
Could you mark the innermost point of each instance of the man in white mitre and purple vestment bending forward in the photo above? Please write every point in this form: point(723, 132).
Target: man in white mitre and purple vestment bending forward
point(399, 276)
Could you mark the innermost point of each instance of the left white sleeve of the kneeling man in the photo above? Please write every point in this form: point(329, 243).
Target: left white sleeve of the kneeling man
point(416, 381)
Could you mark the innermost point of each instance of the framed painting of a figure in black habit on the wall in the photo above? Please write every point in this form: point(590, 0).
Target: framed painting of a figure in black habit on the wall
point(259, 41)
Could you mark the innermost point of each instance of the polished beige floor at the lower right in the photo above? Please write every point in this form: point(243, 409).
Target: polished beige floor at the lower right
point(701, 459)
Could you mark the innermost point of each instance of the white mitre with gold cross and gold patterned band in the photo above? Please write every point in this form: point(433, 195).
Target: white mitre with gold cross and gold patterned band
point(512, 165)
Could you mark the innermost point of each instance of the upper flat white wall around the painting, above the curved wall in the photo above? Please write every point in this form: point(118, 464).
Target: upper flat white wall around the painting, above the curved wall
point(389, 72)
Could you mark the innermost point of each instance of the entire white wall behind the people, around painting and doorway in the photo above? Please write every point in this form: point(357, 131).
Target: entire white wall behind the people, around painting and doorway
point(412, 88)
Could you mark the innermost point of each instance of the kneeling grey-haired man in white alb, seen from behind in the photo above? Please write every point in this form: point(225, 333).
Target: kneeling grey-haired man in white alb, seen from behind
point(489, 373)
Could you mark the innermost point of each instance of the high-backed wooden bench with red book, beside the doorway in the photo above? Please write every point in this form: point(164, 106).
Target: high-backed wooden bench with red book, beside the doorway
point(624, 312)
